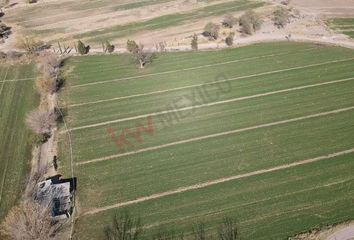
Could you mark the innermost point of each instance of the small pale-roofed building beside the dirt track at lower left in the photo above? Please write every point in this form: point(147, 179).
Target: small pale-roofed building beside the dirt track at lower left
point(58, 194)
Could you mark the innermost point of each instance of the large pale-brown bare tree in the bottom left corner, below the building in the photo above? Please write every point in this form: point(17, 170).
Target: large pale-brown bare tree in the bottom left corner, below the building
point(30, 221)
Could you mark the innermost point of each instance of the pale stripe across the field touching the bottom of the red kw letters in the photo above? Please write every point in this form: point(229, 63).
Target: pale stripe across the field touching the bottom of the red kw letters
point(195, 139)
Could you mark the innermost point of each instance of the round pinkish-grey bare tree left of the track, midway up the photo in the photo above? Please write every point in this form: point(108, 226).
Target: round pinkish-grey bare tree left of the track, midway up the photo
point(41, 121)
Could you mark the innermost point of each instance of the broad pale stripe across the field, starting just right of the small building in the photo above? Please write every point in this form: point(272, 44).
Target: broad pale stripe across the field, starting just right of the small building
point(218, 181)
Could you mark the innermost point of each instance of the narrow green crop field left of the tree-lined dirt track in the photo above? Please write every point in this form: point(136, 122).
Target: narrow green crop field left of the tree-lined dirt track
point(17, 98)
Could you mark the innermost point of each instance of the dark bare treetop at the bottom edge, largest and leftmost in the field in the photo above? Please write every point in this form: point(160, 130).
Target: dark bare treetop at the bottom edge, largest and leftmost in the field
point(124, 227)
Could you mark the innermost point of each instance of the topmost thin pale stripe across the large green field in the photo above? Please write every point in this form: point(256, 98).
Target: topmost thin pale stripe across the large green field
point(186, 69)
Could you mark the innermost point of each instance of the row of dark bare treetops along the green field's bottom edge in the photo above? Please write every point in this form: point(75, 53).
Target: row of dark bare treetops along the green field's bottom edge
point(125, 227)
